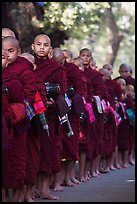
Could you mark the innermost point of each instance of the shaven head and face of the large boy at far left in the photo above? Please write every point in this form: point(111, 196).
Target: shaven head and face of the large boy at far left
point(12, 51)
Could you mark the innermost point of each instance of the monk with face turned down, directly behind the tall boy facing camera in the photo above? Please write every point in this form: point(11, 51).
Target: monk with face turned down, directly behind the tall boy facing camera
point(70, 145)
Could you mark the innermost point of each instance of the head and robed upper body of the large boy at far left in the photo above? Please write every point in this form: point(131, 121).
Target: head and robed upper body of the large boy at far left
point(11, 46)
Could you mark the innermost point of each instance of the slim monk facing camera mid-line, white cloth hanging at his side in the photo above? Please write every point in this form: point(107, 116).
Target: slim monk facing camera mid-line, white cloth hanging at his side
point(96, 87)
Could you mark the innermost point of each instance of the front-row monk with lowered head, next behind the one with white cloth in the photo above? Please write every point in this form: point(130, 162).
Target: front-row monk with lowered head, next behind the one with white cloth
point(110, 128)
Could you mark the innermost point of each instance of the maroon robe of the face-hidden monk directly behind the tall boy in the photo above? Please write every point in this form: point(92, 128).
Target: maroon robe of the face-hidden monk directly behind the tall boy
point(71, 144)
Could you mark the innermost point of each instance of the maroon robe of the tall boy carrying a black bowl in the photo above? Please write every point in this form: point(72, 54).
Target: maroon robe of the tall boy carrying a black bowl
point(51, 146)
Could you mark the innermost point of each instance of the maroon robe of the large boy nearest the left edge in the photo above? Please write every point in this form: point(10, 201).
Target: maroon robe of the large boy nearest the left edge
point(31, 83)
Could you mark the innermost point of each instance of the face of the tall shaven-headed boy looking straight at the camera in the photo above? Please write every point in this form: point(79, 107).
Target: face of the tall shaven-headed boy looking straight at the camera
point(41, 46)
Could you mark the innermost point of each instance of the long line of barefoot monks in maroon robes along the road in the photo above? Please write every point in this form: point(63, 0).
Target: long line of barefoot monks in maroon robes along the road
point(89, 121)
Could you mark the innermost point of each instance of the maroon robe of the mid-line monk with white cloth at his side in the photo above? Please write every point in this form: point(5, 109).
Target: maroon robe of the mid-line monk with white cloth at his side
point(96, 87)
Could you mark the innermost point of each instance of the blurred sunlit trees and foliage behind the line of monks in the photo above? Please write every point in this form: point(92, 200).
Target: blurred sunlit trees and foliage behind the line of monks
point(105, 27)
